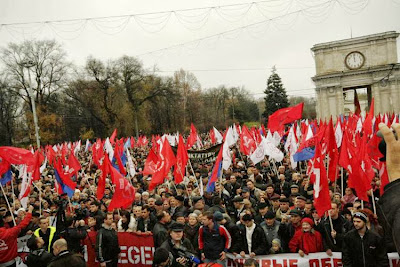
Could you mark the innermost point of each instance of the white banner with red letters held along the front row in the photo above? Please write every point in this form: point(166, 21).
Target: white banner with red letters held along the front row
point(294, 260)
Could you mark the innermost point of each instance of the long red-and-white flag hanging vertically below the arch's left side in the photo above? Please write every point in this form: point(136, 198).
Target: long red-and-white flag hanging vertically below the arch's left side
point(322, 201)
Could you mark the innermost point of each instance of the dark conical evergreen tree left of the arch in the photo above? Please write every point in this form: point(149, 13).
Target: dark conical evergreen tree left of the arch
point(275, 95)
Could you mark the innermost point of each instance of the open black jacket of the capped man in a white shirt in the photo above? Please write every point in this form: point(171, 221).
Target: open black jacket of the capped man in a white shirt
point(259, 243)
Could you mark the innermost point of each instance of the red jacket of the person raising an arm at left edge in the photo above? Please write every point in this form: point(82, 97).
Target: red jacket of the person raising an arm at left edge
point(8, 239)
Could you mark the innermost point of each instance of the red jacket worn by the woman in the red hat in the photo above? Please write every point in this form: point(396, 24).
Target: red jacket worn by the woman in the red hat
point(307, 242)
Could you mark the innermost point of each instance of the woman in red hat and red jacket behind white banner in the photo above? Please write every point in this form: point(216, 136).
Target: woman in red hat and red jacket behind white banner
point(307, 240)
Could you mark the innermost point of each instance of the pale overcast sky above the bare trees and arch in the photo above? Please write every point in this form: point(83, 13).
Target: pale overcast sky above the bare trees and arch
point(240, 58)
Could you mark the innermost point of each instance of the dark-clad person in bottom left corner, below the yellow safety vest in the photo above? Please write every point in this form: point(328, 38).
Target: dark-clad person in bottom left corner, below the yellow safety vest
point(38, 256)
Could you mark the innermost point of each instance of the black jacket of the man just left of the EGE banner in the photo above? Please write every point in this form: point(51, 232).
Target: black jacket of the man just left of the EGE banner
point(107, 247)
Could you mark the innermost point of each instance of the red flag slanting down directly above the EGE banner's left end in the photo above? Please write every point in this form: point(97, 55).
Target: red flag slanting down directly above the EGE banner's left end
point(124, 193)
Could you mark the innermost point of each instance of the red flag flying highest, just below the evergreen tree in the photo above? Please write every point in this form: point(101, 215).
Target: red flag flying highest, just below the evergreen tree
point(277, 121)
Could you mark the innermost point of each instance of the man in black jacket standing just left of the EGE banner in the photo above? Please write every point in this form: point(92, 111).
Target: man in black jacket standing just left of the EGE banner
point(107, 247)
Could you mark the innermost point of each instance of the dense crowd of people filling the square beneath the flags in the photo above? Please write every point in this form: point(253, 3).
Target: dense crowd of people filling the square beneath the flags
point(254, 210)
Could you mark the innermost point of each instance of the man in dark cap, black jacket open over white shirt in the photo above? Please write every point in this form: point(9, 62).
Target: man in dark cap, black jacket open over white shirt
point(253, 237)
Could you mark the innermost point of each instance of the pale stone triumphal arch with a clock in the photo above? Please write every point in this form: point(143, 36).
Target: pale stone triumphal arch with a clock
point(350, 72)
